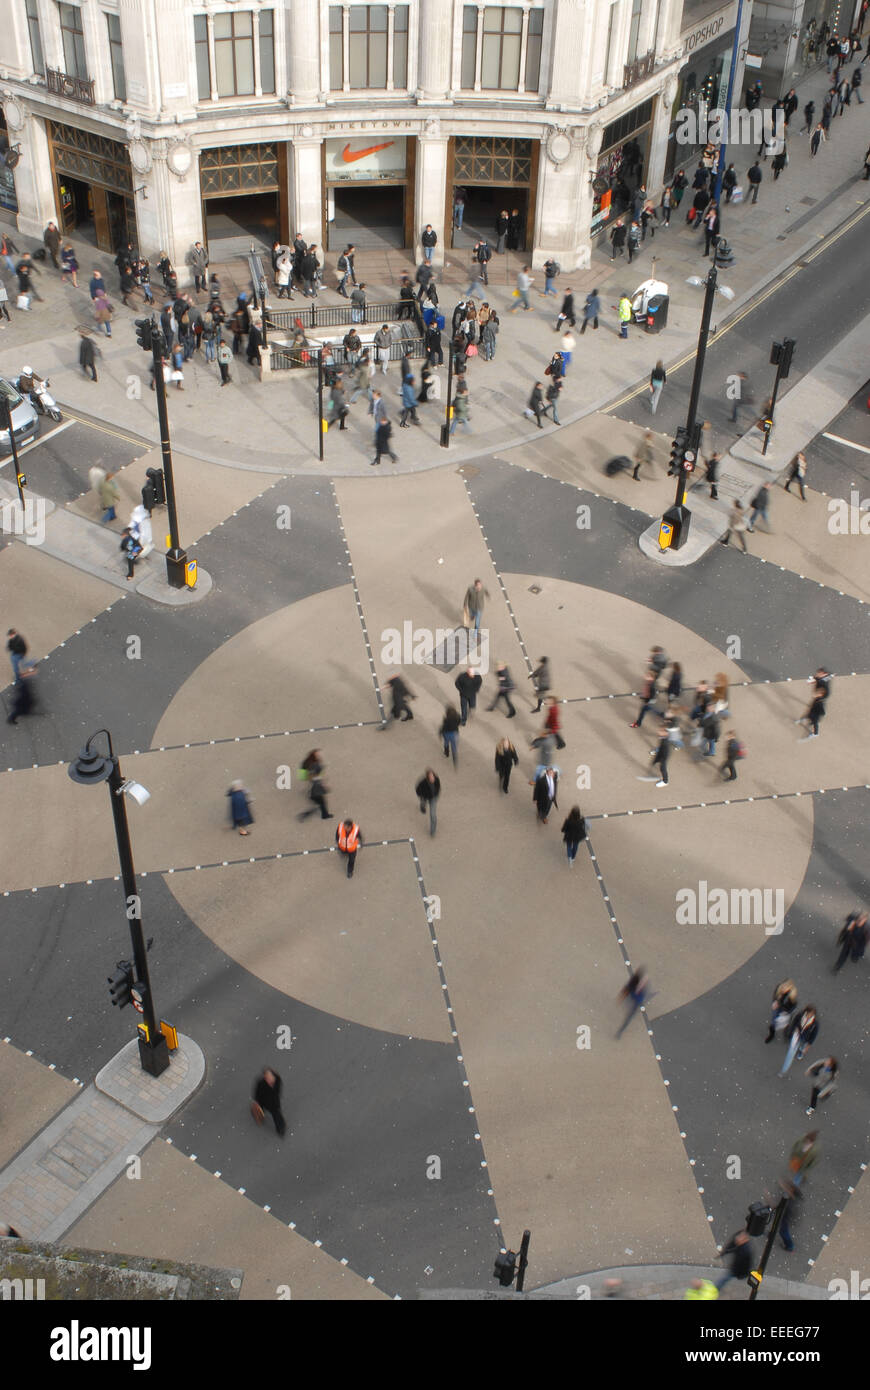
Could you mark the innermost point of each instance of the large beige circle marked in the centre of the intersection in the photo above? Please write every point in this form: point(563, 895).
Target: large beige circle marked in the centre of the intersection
point(362, 950)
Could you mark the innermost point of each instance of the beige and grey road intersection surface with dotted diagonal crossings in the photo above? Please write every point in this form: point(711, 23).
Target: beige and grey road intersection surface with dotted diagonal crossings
point(445, 1022)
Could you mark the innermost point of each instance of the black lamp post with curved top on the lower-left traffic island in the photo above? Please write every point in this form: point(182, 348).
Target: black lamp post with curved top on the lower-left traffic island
point(90, 769)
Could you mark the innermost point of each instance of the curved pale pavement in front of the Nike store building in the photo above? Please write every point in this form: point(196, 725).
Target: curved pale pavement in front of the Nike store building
point(274, 425)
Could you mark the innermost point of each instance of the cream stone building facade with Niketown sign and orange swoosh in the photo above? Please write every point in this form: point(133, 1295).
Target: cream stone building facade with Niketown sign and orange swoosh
point(172, 122)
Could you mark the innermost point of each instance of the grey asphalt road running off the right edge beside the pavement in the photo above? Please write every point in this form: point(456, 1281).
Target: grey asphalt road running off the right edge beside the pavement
point(816, 308)
